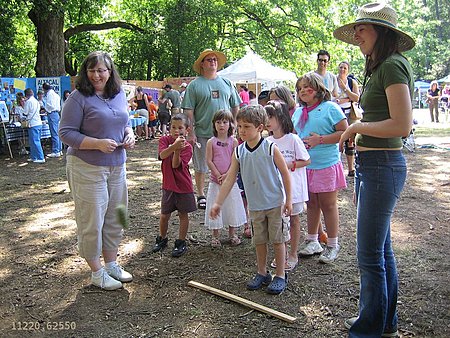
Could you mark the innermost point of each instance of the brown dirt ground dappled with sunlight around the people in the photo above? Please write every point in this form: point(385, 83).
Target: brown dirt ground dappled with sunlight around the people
point(45, 284)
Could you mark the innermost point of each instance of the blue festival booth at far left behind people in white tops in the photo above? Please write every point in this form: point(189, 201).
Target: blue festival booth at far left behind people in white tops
point(12, 129)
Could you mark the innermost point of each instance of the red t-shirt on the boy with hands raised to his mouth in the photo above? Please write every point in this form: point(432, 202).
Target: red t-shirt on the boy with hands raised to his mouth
point(178, 179)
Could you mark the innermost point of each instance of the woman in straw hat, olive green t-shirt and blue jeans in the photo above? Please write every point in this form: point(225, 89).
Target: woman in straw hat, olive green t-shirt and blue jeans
point(380, 165)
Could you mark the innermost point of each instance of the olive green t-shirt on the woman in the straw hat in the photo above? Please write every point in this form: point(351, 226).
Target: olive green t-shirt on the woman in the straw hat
point(395, 69)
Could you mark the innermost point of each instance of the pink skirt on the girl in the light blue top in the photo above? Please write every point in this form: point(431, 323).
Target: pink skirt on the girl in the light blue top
point(326, 180)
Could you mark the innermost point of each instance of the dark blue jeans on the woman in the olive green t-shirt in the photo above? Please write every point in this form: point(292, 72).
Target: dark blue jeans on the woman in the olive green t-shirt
point(380, 177)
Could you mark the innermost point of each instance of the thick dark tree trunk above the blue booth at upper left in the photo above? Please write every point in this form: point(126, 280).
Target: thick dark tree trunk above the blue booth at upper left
point(50, 43)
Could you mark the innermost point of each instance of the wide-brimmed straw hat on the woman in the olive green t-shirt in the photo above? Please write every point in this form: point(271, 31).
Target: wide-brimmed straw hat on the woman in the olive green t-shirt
point(376, 13)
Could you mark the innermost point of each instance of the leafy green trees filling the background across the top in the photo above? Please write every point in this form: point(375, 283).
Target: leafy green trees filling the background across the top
point(154, 39)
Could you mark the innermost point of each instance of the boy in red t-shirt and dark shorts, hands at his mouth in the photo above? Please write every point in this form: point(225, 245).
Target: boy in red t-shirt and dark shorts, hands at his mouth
point(177, 188)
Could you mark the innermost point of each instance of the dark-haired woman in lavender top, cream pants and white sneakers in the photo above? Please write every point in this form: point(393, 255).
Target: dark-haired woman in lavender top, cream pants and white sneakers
point(94, 124)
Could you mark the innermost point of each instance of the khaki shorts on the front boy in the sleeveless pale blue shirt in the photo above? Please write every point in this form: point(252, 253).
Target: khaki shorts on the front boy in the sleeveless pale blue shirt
point(267, 226)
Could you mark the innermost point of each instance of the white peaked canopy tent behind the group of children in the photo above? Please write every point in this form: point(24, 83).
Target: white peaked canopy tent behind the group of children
point(252, 68)
